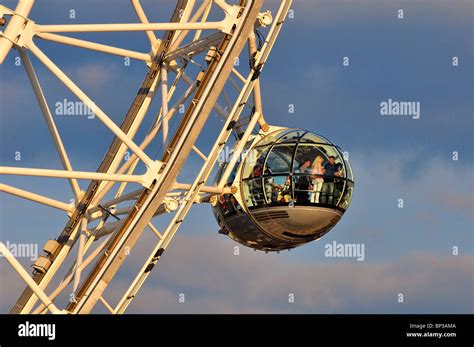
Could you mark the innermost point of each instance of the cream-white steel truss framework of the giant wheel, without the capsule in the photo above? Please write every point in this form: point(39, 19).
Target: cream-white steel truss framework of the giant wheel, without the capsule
point(99, 219)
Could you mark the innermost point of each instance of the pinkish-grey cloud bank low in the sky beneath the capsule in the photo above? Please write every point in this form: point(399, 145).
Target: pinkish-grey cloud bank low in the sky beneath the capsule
point(216, 281)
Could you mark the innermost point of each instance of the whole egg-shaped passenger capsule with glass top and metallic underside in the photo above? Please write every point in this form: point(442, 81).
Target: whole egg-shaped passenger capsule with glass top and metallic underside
point(291, 187)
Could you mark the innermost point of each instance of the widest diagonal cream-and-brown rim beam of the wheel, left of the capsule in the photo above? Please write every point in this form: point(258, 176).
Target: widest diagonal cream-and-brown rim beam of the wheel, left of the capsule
point(181, 146)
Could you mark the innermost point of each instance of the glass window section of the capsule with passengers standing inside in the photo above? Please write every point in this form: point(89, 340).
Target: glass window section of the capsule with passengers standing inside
point(296, 169)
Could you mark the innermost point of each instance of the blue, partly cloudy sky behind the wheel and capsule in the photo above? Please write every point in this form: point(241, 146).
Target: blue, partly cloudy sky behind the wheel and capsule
point(408, 250)
